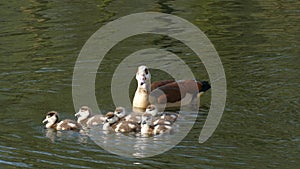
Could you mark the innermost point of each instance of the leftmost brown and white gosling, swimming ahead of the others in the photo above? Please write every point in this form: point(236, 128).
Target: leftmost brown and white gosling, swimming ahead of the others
point(51, 121)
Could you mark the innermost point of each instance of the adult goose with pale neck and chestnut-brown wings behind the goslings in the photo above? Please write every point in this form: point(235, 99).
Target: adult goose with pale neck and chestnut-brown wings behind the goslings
point(169, 92)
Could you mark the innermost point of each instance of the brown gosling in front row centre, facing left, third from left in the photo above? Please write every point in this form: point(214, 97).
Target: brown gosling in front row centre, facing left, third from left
point(114, 123)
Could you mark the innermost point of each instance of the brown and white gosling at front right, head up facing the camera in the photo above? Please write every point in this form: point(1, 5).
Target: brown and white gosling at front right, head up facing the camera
point(148, 129)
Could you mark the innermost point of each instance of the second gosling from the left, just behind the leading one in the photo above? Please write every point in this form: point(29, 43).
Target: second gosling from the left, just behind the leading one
point(85, 117)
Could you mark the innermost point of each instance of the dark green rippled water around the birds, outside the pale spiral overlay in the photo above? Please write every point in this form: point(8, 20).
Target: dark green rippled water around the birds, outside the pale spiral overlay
point(258, 43)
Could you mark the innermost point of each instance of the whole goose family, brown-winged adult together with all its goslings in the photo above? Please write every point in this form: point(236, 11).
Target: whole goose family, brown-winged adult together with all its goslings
point(149, 97)
